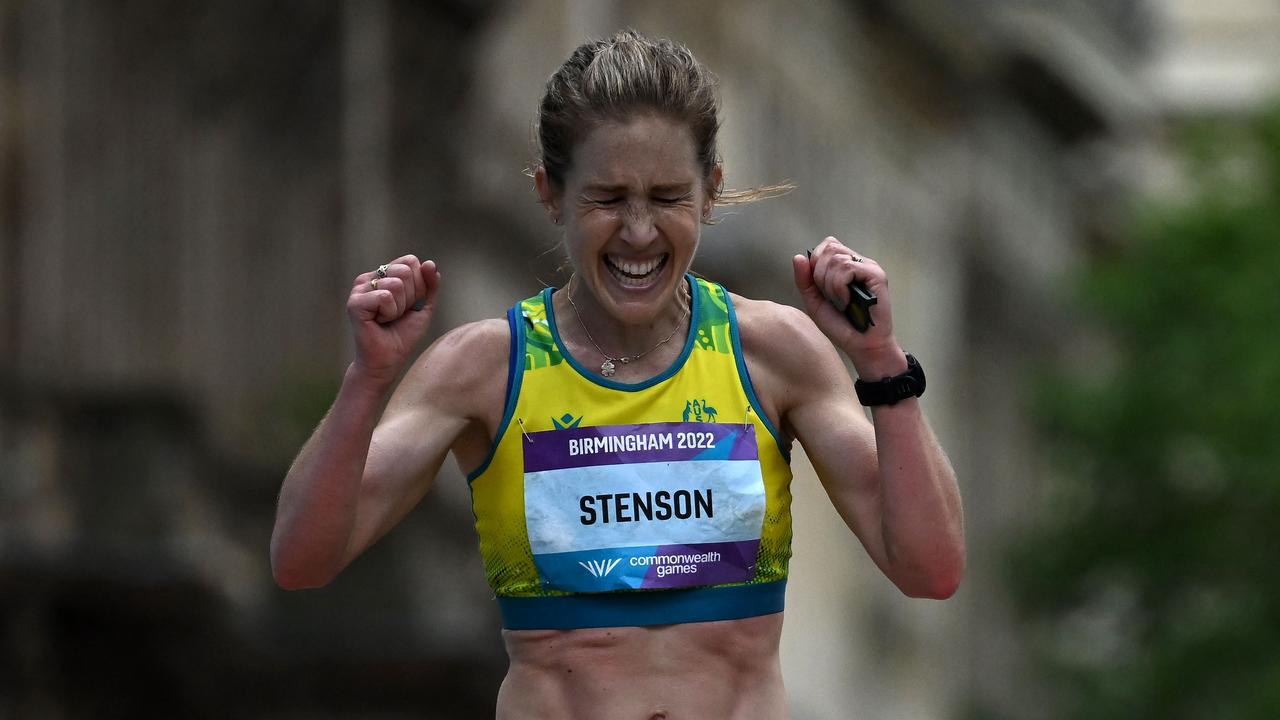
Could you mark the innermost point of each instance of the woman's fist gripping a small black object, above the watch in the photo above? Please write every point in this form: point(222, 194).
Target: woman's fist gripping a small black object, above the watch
point(824, 282)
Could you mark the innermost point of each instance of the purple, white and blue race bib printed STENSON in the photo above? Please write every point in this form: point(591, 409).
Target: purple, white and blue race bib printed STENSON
point(659, 505)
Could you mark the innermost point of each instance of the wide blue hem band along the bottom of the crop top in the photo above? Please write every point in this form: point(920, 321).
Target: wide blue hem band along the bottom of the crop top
point(642, 608)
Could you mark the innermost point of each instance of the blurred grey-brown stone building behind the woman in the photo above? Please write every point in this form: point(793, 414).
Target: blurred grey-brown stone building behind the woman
point(188, 189)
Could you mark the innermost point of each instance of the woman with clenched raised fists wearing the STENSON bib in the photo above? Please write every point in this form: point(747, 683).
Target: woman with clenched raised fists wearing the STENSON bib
point(628, 438)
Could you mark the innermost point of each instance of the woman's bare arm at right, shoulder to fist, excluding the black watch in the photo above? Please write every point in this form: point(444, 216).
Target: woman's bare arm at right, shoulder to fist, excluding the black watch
point(889, 480)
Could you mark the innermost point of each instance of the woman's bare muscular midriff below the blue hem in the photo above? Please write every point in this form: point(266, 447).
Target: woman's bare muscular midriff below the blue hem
point(728, 669)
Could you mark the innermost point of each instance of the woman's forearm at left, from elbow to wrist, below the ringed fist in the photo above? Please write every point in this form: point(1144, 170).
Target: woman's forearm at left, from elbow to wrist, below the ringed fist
point(319, 500)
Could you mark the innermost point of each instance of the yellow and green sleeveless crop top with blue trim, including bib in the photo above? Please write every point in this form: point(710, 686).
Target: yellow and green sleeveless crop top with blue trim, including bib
point(607, 504)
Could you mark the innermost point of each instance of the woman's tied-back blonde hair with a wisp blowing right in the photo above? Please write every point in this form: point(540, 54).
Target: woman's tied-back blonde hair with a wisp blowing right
point(630, 74)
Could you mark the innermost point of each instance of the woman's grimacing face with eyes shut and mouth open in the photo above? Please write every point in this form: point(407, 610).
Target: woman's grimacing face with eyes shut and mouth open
point(633, 206)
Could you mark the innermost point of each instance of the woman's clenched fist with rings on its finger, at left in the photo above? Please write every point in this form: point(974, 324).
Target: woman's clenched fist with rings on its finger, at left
point(390, 316)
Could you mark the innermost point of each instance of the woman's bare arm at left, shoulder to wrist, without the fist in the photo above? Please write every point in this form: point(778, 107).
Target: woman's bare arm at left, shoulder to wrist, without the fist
point(364, 470)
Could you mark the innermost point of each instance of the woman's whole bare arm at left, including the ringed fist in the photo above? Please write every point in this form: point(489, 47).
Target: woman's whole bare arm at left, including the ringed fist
point(364, 468)
